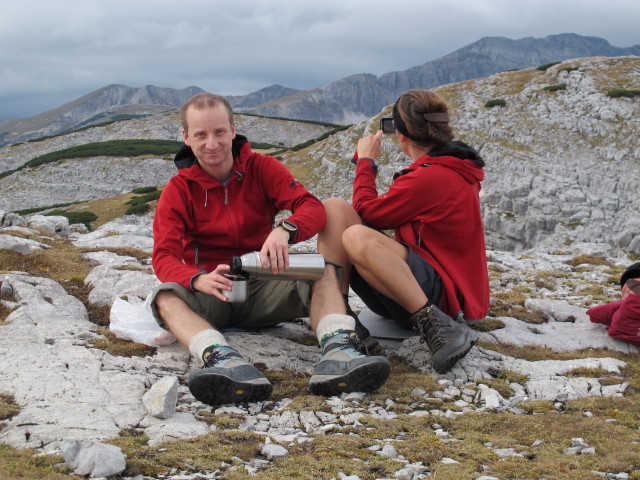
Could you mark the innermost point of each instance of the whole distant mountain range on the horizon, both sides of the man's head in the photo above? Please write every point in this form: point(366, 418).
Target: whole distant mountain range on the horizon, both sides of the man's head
point(345, 101)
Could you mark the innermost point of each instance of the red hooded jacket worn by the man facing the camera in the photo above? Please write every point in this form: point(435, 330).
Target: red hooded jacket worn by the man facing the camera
point(200, 223)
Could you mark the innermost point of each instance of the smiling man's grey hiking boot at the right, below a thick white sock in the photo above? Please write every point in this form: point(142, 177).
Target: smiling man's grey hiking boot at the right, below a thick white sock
point(345, 366)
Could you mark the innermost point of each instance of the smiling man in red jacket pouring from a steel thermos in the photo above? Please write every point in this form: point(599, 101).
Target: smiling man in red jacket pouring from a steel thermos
point(223, 203)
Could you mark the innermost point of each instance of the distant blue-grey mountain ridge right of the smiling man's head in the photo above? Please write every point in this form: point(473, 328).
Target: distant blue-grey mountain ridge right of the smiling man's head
point(357, 97)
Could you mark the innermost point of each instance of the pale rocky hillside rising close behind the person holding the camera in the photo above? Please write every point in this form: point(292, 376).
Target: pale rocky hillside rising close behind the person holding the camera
point(561, 165)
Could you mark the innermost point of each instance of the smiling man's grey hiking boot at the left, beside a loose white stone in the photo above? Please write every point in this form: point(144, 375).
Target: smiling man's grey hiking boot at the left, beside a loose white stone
point(227, 378)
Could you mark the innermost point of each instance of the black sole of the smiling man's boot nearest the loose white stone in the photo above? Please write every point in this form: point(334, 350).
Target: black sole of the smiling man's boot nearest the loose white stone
point(219, 389)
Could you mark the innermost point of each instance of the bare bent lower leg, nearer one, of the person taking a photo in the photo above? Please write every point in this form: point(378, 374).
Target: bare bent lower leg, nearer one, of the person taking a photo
point(382, 262)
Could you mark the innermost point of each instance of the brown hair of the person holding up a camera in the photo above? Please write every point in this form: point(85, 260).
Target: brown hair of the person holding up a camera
point(409, 112)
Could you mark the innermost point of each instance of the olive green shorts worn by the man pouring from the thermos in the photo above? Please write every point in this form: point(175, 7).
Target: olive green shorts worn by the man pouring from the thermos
point(269, 303)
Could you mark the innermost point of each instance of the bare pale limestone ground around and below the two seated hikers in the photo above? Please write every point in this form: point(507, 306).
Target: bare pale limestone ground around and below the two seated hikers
point(73, 397)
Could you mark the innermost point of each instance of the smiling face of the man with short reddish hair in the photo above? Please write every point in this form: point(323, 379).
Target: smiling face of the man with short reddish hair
point(209, 135)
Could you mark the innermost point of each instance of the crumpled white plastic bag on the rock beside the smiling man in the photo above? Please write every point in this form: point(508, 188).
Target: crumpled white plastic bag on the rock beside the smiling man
point(132, 320)
